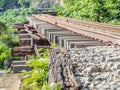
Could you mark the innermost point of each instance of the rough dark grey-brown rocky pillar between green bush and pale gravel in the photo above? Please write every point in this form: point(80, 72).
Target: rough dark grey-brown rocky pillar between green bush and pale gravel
point(61, 70)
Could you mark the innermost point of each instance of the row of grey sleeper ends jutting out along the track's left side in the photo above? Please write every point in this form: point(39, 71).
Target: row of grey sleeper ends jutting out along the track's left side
point(61, 36)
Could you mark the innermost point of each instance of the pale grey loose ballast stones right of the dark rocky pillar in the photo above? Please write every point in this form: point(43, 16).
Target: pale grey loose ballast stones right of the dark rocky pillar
point(93, 66)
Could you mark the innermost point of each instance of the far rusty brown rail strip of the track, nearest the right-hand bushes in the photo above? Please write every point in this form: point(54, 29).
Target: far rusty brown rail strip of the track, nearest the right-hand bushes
point(98, 25)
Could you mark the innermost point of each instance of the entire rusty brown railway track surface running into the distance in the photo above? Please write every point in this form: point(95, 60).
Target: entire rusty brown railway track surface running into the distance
point(98, 31)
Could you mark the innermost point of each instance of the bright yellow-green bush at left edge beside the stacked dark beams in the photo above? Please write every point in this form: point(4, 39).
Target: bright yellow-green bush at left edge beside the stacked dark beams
point(5, 52)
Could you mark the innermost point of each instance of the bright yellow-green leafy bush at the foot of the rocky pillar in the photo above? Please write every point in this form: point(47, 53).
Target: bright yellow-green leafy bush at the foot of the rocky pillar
point(37, 78)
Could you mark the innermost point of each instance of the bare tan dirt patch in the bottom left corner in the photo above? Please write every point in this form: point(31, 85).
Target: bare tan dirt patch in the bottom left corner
point(10, 82)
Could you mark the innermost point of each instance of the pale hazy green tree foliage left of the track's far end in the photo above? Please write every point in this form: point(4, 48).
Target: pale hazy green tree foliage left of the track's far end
point(10, 17)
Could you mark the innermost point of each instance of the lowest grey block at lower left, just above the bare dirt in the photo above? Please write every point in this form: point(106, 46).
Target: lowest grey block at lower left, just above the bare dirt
point(19, 68)
